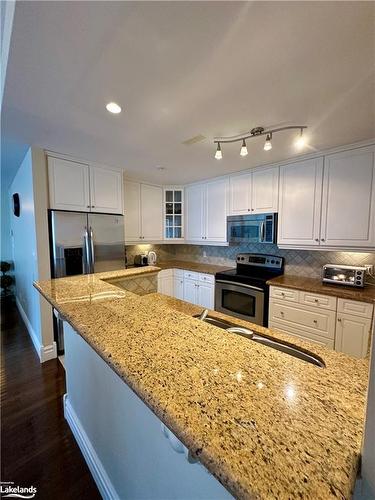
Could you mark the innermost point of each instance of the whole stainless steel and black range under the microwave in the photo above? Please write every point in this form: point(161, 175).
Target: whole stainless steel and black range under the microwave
point(242, 292)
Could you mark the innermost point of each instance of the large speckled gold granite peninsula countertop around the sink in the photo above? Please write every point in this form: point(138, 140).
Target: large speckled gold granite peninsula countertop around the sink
point(265, 424)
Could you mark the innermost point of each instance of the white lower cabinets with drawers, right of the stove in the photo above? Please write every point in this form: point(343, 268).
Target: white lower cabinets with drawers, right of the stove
point(340, 324)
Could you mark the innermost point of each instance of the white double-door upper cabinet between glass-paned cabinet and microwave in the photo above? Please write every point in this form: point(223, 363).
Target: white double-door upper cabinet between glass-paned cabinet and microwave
point(206, 208)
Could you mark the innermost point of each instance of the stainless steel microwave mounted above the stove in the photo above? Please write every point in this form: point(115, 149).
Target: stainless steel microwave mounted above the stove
point(252, 228)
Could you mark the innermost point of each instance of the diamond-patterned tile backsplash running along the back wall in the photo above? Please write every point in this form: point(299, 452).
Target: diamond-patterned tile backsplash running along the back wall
point(297, 262)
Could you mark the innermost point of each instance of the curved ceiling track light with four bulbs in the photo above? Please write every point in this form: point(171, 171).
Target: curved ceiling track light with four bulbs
point(255, 132)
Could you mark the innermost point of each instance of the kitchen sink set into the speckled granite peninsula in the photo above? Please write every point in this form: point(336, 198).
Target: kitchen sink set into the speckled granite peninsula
point(261, 339)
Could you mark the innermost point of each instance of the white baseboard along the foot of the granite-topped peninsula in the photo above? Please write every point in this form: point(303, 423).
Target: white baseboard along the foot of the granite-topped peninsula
point(97, 470)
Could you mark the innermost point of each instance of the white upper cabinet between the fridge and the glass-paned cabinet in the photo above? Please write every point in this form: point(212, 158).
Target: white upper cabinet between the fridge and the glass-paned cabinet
point(143, 212)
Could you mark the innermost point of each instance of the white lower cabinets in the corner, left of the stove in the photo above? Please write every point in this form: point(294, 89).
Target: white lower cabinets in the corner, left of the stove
point(197, 288)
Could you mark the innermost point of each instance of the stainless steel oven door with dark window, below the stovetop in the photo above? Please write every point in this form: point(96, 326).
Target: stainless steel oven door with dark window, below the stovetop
point(240, 300)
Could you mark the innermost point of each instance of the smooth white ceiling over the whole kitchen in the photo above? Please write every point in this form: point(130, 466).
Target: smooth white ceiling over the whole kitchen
point(180, 69)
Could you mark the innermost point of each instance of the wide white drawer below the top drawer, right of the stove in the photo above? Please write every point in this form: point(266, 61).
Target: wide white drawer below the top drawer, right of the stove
point(305, 320)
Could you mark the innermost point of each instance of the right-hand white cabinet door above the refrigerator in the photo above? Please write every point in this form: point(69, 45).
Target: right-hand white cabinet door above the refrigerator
point(106, 190)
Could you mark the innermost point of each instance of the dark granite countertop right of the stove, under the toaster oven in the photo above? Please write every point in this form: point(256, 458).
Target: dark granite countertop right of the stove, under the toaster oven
point(315, 285)
